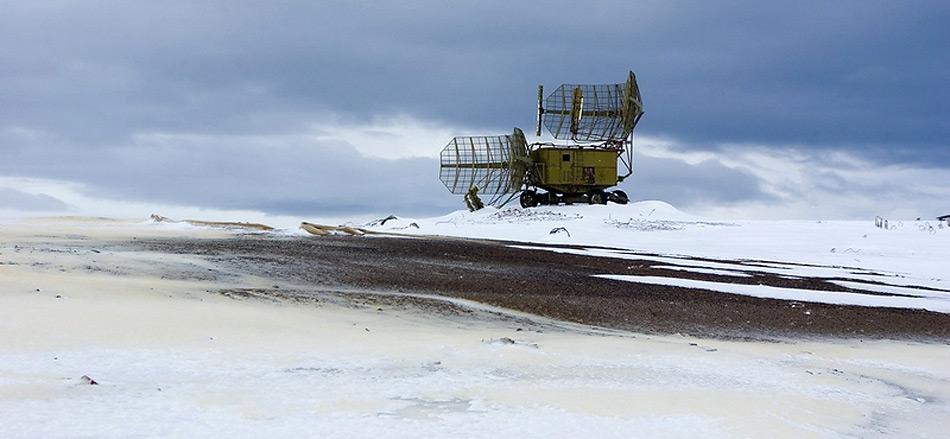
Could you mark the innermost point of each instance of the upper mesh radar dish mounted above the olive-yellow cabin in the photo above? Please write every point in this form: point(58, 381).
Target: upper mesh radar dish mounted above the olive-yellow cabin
point(591, 112)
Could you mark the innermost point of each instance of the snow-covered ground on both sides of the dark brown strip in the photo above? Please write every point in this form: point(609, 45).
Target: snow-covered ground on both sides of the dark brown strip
point(172, 359)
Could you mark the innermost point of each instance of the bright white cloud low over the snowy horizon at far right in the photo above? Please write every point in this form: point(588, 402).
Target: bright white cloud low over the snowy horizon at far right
point(830, 184)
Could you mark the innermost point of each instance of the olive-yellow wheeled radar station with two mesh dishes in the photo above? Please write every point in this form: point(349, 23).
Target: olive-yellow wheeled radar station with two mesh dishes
point(597, 121)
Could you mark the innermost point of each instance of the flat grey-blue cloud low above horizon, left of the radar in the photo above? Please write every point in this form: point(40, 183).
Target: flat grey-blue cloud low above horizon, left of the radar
point(302, 173)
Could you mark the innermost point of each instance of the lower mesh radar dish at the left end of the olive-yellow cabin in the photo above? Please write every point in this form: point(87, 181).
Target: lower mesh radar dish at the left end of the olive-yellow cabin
point(496, 165)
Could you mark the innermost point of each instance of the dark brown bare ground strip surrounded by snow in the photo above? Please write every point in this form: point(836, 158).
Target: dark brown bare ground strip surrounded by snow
point(557, 285)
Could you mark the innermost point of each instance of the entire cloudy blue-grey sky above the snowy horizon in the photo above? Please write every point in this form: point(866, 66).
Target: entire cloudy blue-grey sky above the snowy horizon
point(810, 109)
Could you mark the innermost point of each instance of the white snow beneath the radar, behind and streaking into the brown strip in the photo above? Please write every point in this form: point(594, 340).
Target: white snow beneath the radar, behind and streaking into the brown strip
point(906, 256)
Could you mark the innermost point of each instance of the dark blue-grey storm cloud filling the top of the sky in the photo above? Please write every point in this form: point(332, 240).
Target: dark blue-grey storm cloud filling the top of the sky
point(872, 74)
